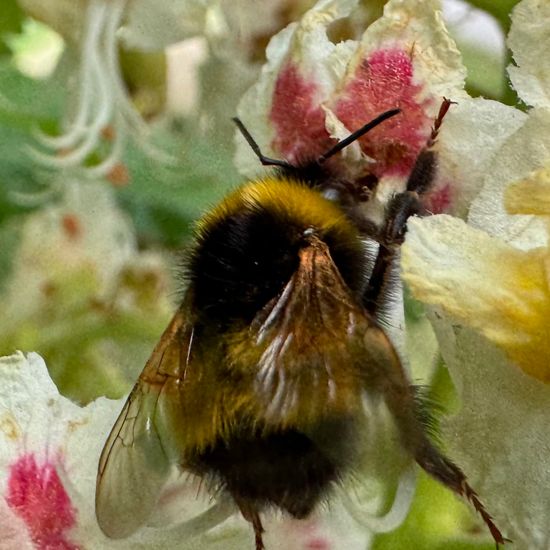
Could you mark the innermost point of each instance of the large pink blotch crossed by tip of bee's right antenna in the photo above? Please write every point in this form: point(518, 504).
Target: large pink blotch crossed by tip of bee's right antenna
point(385, 81)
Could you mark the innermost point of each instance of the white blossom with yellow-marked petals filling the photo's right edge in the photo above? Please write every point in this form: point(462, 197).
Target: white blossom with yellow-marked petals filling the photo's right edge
point(486, 284)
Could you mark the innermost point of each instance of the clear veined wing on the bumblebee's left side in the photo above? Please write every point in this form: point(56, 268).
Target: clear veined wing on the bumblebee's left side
point(147, 439)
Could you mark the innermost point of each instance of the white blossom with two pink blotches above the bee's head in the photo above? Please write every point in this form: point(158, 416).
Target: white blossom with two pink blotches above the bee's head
point(313, 91)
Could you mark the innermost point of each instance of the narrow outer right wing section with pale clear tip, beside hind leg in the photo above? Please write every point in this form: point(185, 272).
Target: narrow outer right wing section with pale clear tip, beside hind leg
point(379, 490)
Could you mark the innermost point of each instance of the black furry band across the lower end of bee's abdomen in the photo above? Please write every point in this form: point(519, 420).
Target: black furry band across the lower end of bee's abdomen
point(287, 469)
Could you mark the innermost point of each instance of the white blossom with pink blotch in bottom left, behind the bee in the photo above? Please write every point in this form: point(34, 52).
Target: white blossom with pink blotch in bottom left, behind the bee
point(48, 462)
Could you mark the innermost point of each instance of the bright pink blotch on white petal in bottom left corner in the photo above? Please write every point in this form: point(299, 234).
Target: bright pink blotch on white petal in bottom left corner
point(35, 493)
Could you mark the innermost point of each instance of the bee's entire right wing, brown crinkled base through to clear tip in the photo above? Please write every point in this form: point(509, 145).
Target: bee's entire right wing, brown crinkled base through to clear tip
point(322, 355)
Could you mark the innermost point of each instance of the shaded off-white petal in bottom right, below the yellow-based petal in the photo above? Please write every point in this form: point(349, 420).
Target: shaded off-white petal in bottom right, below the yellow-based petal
point(501, 436)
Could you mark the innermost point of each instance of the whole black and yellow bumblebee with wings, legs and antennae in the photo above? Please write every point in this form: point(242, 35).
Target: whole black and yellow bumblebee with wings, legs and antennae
point(269, 381)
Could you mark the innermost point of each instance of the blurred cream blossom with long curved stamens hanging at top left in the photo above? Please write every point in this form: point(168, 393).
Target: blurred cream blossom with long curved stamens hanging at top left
point(102, 118)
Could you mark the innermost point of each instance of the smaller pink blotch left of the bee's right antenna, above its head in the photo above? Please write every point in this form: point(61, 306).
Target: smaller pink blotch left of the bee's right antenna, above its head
point(299, 121)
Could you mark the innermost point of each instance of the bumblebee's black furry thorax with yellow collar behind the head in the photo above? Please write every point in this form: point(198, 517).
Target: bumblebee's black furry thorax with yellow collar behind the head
point(247, 248)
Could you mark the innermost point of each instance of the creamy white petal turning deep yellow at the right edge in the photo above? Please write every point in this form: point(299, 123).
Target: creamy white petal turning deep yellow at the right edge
point(484, 283)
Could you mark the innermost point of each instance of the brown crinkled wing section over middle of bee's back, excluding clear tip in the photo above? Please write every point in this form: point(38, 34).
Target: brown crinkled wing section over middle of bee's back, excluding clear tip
point(307, 340)
